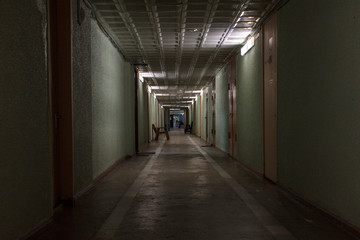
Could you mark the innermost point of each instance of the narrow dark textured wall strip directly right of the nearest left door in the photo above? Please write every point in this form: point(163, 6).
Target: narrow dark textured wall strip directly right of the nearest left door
point(82, 105)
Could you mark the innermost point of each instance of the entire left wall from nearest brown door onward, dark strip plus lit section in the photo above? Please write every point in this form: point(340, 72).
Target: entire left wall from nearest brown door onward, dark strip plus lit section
point(103, 83)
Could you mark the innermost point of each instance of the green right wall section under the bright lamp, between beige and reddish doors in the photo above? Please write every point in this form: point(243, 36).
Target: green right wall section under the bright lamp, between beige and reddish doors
point(249, 101)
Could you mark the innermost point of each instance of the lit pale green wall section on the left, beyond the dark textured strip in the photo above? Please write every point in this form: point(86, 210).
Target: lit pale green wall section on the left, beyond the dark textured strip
point(112, 112)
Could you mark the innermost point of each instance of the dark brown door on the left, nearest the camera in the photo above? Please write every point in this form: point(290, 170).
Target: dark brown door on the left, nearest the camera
point(60, 85)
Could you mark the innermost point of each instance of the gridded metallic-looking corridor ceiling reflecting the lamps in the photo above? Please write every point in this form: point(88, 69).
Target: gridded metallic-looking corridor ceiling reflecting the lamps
point(179, 45)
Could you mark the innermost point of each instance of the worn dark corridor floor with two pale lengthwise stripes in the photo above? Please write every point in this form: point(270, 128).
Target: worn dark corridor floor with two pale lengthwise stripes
point(186, 191)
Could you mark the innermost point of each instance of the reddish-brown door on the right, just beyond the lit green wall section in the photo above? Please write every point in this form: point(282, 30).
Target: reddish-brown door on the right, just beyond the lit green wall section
point(232, 107)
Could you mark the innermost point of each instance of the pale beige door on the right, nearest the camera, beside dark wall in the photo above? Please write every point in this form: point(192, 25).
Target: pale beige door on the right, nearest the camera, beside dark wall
point(270, 98)
